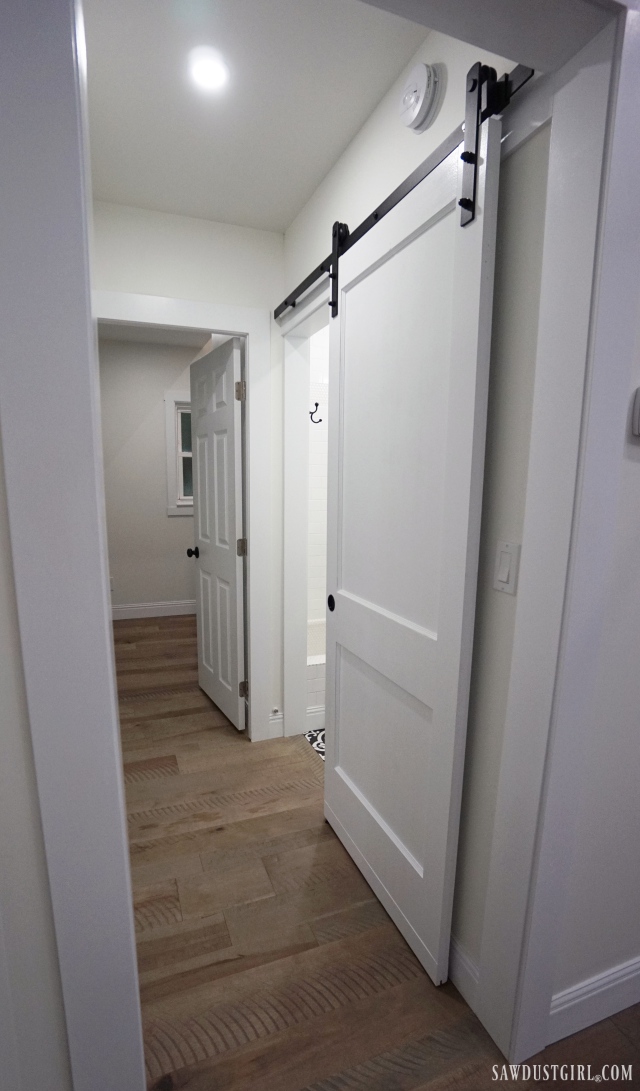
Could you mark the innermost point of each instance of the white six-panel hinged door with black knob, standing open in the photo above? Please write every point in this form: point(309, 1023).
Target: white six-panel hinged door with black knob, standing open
point(218, 508)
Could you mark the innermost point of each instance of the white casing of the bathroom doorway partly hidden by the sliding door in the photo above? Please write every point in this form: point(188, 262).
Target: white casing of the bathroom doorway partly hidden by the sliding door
point(297, 328)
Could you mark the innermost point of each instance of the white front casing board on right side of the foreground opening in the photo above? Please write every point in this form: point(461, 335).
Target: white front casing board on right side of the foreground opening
point(612, 359)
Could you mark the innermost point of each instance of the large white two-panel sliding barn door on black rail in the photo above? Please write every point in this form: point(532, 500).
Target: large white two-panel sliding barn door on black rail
point(409, 371)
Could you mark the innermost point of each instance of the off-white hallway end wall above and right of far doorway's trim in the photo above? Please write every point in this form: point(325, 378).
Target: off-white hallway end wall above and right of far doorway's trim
point(153, 254)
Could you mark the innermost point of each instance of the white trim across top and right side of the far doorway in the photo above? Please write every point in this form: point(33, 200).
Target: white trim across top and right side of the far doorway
point(255, 326)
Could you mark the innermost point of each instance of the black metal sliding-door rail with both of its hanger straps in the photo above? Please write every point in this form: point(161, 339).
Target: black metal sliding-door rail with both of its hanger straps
point(488, 98)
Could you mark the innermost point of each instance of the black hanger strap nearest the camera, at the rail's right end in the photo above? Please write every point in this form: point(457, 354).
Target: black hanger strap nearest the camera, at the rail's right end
point(487, 97)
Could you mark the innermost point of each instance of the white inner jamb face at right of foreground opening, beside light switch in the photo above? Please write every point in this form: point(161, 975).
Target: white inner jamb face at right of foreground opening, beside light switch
point(506, 974)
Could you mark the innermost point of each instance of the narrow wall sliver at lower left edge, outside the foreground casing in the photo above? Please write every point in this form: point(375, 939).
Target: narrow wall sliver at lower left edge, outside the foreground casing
point(34, 1002)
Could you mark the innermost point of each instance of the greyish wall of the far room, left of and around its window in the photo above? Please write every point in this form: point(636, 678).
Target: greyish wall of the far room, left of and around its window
point(148, 548)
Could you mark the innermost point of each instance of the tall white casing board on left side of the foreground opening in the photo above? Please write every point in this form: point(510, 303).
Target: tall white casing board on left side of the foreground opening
point(61, 562)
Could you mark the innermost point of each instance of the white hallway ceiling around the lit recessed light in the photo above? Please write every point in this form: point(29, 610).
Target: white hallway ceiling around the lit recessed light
point(306, 75)
